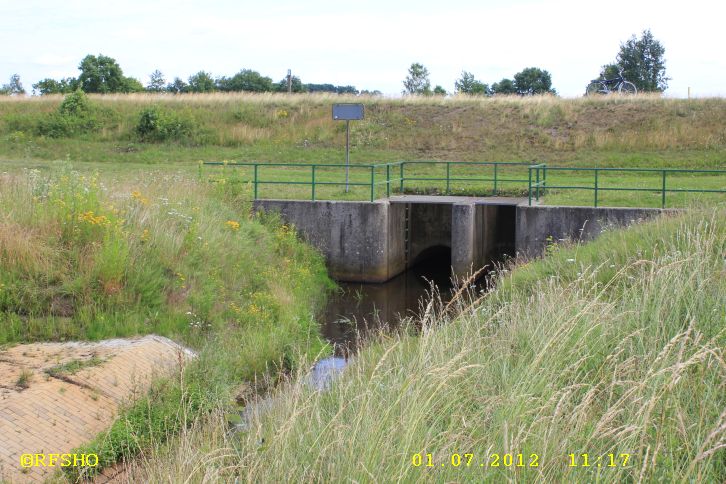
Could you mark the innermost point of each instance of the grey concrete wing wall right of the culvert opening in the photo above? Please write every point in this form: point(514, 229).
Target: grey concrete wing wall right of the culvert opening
point(535, 224)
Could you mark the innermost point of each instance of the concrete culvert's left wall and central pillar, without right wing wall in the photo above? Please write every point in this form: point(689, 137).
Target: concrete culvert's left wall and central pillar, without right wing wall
point(366, 242)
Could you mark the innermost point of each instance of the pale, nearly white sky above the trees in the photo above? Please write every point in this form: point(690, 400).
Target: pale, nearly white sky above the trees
point(368, 44)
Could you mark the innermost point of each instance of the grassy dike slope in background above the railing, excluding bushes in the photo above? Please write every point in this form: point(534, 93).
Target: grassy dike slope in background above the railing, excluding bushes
point(276, 127)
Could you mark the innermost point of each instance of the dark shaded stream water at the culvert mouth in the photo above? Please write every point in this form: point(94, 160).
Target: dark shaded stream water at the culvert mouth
point(360, 308)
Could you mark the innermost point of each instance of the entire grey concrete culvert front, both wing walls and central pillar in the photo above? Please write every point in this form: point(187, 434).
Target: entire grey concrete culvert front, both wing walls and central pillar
point(366, 241)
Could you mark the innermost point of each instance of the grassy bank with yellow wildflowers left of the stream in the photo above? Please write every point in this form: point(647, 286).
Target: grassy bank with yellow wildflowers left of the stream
point(84, 257)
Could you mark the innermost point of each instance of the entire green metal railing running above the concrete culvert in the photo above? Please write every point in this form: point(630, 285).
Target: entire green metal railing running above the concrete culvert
point(391, 177)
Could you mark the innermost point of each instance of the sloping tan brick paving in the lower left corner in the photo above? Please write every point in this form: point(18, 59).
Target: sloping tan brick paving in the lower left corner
point(56, 396)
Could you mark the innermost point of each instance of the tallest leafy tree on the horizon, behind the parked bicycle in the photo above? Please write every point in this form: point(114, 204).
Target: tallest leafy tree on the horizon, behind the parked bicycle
point(643, 63)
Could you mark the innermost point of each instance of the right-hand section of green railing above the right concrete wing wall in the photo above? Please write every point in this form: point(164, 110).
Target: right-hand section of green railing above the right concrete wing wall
point(538, 181)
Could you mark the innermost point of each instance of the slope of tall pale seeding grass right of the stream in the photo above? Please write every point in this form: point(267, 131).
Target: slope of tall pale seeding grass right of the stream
point(613, 347)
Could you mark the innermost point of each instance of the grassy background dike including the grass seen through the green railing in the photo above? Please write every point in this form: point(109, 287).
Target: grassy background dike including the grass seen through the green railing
point(606, 132)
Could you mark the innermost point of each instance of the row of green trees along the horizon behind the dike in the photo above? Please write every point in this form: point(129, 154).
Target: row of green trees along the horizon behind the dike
point(641, 61)
